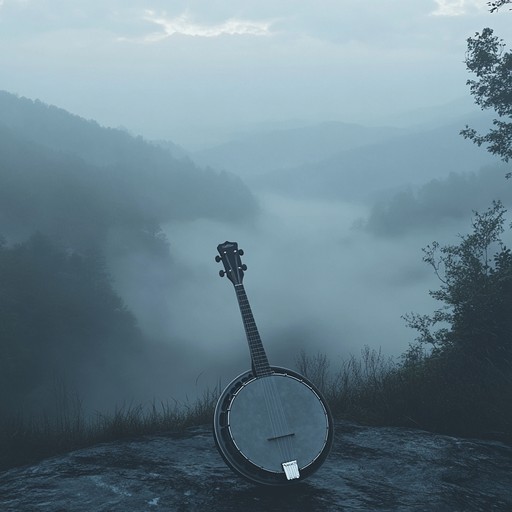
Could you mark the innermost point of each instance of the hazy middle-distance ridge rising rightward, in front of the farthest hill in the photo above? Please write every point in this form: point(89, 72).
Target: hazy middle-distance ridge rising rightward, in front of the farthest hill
point(362, 172)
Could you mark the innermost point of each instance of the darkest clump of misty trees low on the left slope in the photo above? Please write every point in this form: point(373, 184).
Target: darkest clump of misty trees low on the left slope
point(59, 317)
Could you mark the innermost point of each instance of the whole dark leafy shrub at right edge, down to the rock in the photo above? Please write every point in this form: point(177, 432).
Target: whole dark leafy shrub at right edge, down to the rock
point(457, 377)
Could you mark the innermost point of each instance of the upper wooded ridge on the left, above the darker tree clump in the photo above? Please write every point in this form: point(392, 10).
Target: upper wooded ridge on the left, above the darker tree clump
point(70, 177)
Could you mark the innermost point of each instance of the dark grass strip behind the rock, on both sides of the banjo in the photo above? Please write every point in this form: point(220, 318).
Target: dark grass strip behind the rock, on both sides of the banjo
point(420, 391)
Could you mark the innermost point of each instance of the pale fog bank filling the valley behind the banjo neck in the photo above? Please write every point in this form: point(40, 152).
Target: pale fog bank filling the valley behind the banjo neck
point(316, 282)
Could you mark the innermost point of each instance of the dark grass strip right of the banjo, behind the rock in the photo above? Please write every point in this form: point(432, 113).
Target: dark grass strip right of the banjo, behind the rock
point(464, 396)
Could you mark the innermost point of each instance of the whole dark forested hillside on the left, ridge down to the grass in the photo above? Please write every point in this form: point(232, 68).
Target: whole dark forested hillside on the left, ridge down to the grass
point(74, 197)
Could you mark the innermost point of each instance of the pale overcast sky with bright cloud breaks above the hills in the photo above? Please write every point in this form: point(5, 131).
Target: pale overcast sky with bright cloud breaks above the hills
point(184, 69)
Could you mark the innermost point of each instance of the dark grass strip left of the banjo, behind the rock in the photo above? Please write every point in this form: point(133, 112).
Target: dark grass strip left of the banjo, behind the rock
point(27, 438)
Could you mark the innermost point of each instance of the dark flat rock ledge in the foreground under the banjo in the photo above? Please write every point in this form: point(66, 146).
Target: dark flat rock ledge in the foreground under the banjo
point(369, 468)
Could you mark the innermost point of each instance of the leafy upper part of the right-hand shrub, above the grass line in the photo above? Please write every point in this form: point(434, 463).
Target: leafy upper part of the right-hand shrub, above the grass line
point(476, 289)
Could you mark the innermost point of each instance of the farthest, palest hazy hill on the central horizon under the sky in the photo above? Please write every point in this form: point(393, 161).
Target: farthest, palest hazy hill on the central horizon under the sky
point(259, 152)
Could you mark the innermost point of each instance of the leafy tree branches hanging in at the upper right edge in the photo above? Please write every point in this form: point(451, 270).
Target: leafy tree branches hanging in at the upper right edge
point(492, 65)
